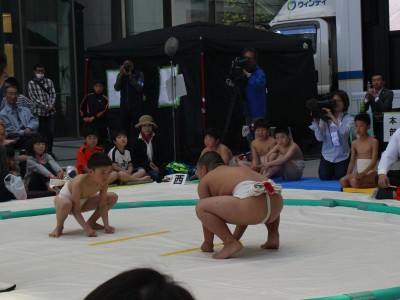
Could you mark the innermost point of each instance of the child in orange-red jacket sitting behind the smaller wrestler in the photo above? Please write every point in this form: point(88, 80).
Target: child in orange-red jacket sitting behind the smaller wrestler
point(87, 150)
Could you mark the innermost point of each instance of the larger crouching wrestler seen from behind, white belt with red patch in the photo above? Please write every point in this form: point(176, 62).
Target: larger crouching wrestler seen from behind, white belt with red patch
point(235, 195)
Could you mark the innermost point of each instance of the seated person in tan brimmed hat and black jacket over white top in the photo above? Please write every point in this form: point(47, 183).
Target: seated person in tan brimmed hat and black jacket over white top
point(148, 149)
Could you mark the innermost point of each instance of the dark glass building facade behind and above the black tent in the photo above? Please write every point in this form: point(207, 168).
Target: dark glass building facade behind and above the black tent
point(57, 32)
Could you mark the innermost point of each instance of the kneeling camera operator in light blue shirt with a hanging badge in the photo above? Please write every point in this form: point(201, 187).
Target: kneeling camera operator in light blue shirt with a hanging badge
point(334, 131)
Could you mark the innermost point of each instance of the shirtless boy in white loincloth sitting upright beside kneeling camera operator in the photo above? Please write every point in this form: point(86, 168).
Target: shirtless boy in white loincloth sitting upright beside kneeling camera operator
point(364, 154)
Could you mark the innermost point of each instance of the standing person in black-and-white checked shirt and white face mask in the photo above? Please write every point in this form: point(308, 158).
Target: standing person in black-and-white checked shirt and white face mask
point(41, 91)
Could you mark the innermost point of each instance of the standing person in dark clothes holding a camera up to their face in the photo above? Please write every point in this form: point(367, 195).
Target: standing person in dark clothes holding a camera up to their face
point(130, 83)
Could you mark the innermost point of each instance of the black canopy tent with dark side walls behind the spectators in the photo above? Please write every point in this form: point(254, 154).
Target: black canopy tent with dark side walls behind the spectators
point(204, 56)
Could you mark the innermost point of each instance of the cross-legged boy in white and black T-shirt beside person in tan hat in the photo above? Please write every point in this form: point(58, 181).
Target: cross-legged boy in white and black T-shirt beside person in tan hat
point(121, 160)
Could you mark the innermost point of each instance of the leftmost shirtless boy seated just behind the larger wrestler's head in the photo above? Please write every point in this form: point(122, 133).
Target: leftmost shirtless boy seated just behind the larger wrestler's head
point(212, 140)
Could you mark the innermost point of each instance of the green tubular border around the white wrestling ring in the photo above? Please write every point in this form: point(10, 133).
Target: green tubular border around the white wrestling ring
point(382, 294)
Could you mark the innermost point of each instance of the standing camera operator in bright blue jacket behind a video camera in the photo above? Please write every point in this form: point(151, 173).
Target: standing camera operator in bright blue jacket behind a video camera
point(252, 88)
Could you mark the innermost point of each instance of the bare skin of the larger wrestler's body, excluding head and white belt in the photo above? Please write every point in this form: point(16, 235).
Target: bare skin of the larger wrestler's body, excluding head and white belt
point(215, 189)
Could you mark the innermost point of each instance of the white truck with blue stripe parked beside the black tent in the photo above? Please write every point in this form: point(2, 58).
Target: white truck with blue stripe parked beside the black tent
point(335, 29)
